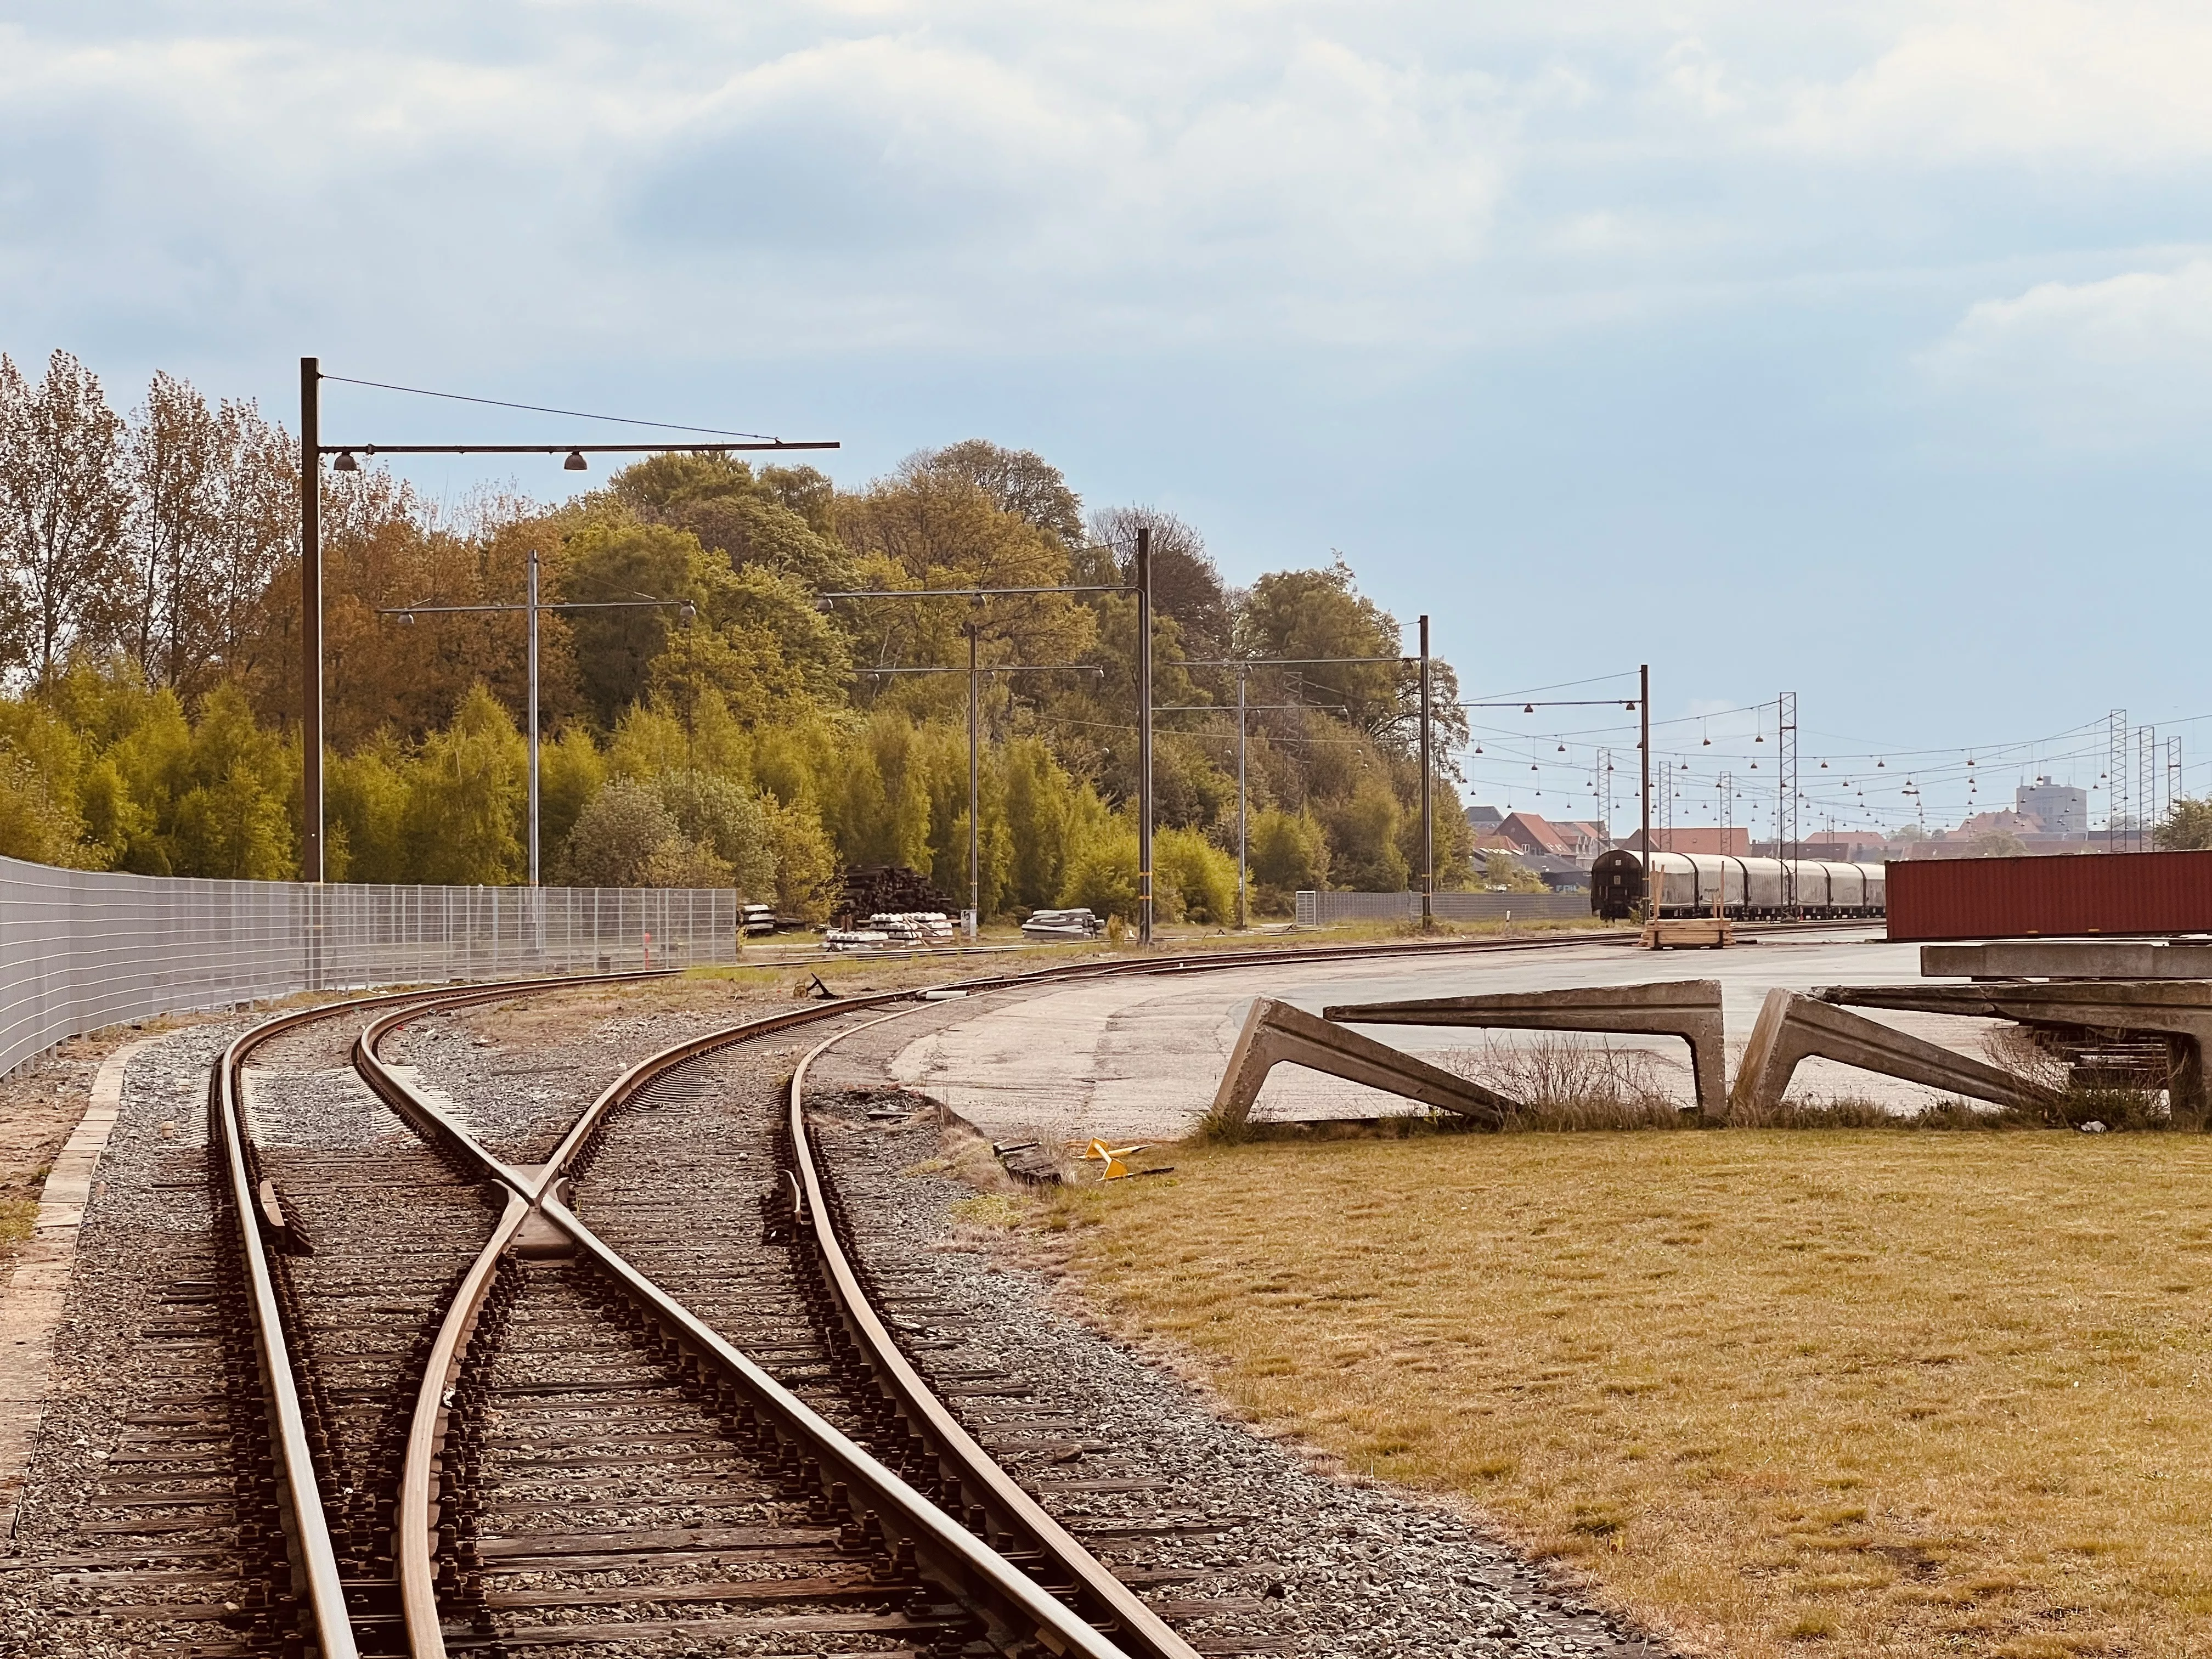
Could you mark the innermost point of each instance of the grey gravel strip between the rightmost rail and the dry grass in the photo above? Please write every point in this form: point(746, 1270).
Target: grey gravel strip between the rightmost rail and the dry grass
point(1337, 1567)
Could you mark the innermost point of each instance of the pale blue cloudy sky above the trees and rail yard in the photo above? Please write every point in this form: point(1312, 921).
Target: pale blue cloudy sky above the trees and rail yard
point(1855, 351)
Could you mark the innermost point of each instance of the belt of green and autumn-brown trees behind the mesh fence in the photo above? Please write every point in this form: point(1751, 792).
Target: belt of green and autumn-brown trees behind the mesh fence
point(735, 735)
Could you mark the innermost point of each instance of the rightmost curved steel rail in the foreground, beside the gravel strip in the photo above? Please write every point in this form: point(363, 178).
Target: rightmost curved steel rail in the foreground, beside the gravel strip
point(1142, 1629)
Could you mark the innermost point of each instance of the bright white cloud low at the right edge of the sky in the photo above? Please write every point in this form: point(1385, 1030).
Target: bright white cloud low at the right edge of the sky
point(2118, 362)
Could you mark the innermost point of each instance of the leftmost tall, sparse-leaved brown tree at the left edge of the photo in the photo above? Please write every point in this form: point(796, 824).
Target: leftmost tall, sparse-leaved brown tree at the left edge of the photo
point(63, 508)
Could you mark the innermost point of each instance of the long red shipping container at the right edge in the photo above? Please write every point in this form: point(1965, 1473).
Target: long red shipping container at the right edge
point(2118, 893)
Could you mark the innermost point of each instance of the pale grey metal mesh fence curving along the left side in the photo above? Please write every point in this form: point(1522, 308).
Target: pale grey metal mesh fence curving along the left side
point(85, 950)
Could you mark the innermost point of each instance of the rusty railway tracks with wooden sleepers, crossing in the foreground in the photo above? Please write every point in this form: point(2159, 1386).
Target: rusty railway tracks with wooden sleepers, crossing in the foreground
point(525, 1386)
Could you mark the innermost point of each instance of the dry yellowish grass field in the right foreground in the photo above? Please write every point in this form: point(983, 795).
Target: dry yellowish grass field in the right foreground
point(1777, 1392)
